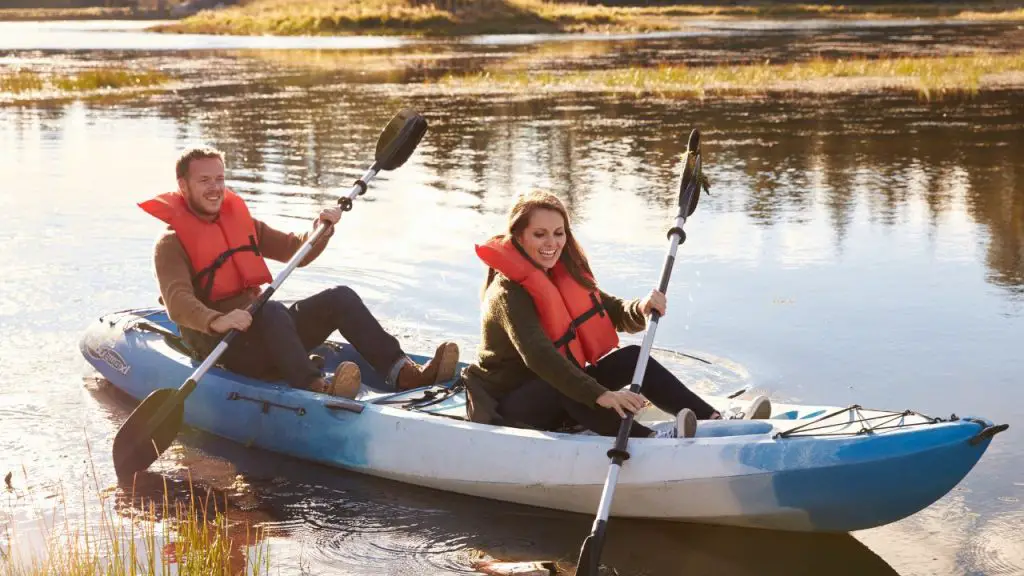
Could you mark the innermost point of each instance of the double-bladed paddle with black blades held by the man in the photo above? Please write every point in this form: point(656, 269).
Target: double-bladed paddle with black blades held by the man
point(156, 422)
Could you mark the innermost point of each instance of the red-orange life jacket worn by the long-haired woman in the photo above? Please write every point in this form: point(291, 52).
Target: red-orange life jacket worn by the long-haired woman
point(572, 316)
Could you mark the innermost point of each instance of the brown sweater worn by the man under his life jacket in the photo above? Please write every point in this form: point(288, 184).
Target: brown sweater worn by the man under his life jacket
point(175, 273)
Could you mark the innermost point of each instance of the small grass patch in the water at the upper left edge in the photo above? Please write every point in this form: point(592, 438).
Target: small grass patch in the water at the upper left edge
point(105, 78)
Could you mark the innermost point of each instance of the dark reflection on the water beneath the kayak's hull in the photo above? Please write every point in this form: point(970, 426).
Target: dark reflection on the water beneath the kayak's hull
point(349, 523)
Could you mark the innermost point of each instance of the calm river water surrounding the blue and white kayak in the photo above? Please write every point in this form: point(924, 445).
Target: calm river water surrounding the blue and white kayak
point(855, 250)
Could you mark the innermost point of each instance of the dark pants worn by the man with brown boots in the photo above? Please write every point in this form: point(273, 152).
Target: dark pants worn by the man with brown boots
point(278, 343)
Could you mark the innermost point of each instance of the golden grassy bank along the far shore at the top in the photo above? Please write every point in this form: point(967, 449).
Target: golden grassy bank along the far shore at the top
point(449, 18)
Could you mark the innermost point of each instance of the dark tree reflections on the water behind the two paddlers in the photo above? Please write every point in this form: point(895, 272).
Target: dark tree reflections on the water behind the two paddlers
point(776, 162)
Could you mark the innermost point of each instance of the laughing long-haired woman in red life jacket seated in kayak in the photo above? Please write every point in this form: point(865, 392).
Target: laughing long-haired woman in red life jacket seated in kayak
point(549, 344)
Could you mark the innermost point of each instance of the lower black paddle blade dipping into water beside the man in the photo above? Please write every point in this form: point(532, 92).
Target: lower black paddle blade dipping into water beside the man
point(141, 441)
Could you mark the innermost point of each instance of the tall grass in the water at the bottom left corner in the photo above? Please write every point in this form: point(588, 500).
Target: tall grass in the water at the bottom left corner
point(190, 538)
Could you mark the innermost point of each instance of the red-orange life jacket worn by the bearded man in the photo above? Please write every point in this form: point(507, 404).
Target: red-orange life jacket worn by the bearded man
point(224, 253)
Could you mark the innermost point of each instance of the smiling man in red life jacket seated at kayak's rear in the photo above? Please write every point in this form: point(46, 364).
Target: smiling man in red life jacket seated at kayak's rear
point(210, 268)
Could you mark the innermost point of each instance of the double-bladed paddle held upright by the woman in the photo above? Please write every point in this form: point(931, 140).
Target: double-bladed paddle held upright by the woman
point(690, 193)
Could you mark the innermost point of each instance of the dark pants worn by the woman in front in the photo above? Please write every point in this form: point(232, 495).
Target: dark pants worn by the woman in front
point(539, 405)
